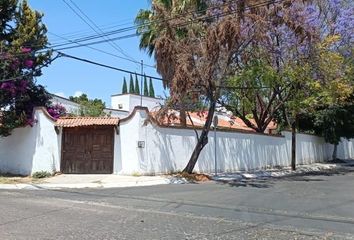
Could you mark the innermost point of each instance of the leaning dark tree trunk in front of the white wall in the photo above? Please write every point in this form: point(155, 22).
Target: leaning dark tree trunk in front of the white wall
point(203, 139)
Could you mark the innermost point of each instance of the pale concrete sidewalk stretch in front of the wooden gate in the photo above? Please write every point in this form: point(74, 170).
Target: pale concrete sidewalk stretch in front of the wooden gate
point(90, 181)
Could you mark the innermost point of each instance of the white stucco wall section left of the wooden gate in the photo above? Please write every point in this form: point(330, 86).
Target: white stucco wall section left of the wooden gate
point(31, 149)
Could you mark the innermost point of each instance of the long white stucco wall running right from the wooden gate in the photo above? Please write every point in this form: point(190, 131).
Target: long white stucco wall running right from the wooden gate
point(169, 149)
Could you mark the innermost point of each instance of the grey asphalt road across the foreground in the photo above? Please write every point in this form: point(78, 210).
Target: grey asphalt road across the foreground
point(303, 207)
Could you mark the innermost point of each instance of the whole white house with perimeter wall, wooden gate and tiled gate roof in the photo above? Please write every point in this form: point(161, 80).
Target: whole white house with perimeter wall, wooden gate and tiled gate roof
point(138, 143)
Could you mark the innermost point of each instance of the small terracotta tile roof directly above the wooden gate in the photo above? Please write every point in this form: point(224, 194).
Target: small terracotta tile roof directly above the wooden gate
point(86, 121)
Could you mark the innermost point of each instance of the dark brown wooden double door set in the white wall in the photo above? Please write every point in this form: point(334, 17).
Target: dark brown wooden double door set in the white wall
point(88, 150)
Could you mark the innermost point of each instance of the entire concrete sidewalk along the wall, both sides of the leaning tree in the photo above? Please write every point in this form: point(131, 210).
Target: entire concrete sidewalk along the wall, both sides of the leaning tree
point(119, 181)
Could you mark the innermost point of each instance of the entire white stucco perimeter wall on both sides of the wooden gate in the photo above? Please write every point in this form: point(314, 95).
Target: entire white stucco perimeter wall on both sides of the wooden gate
point(37, 148)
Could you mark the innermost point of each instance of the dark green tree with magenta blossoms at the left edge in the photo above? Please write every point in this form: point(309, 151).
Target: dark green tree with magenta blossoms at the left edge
point(22, 36)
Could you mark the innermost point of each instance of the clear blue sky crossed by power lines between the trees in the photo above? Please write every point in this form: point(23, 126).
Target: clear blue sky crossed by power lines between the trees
point(68, 77)
